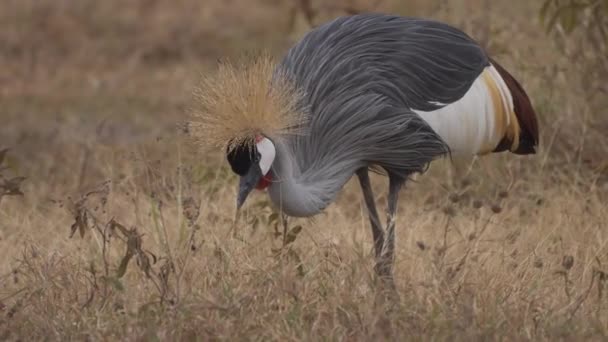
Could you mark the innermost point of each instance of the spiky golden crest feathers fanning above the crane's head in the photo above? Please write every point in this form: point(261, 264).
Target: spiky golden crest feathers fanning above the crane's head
point(243, 100)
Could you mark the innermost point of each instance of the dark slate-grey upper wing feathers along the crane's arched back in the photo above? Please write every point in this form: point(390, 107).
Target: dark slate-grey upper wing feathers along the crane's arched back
point(416, 63)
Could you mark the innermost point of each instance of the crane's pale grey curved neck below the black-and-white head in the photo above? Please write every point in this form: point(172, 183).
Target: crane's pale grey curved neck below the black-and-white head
point(303, 193)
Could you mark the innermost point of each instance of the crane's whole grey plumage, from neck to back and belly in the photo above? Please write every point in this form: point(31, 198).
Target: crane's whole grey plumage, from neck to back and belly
point(362, 76)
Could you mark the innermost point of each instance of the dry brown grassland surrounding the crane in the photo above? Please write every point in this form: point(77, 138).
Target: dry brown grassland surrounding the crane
point(91, 92)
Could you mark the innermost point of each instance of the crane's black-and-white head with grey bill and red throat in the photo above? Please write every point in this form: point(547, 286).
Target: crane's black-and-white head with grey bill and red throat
point(252, 163)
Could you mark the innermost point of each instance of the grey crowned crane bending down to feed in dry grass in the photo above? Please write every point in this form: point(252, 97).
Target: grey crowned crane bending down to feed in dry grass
point(360, 92)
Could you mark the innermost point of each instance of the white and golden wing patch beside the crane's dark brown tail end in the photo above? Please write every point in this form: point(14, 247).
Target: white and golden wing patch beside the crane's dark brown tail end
point(477, 122)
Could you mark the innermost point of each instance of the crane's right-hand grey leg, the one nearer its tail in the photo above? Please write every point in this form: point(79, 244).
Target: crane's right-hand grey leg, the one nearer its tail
point(387, 256)
